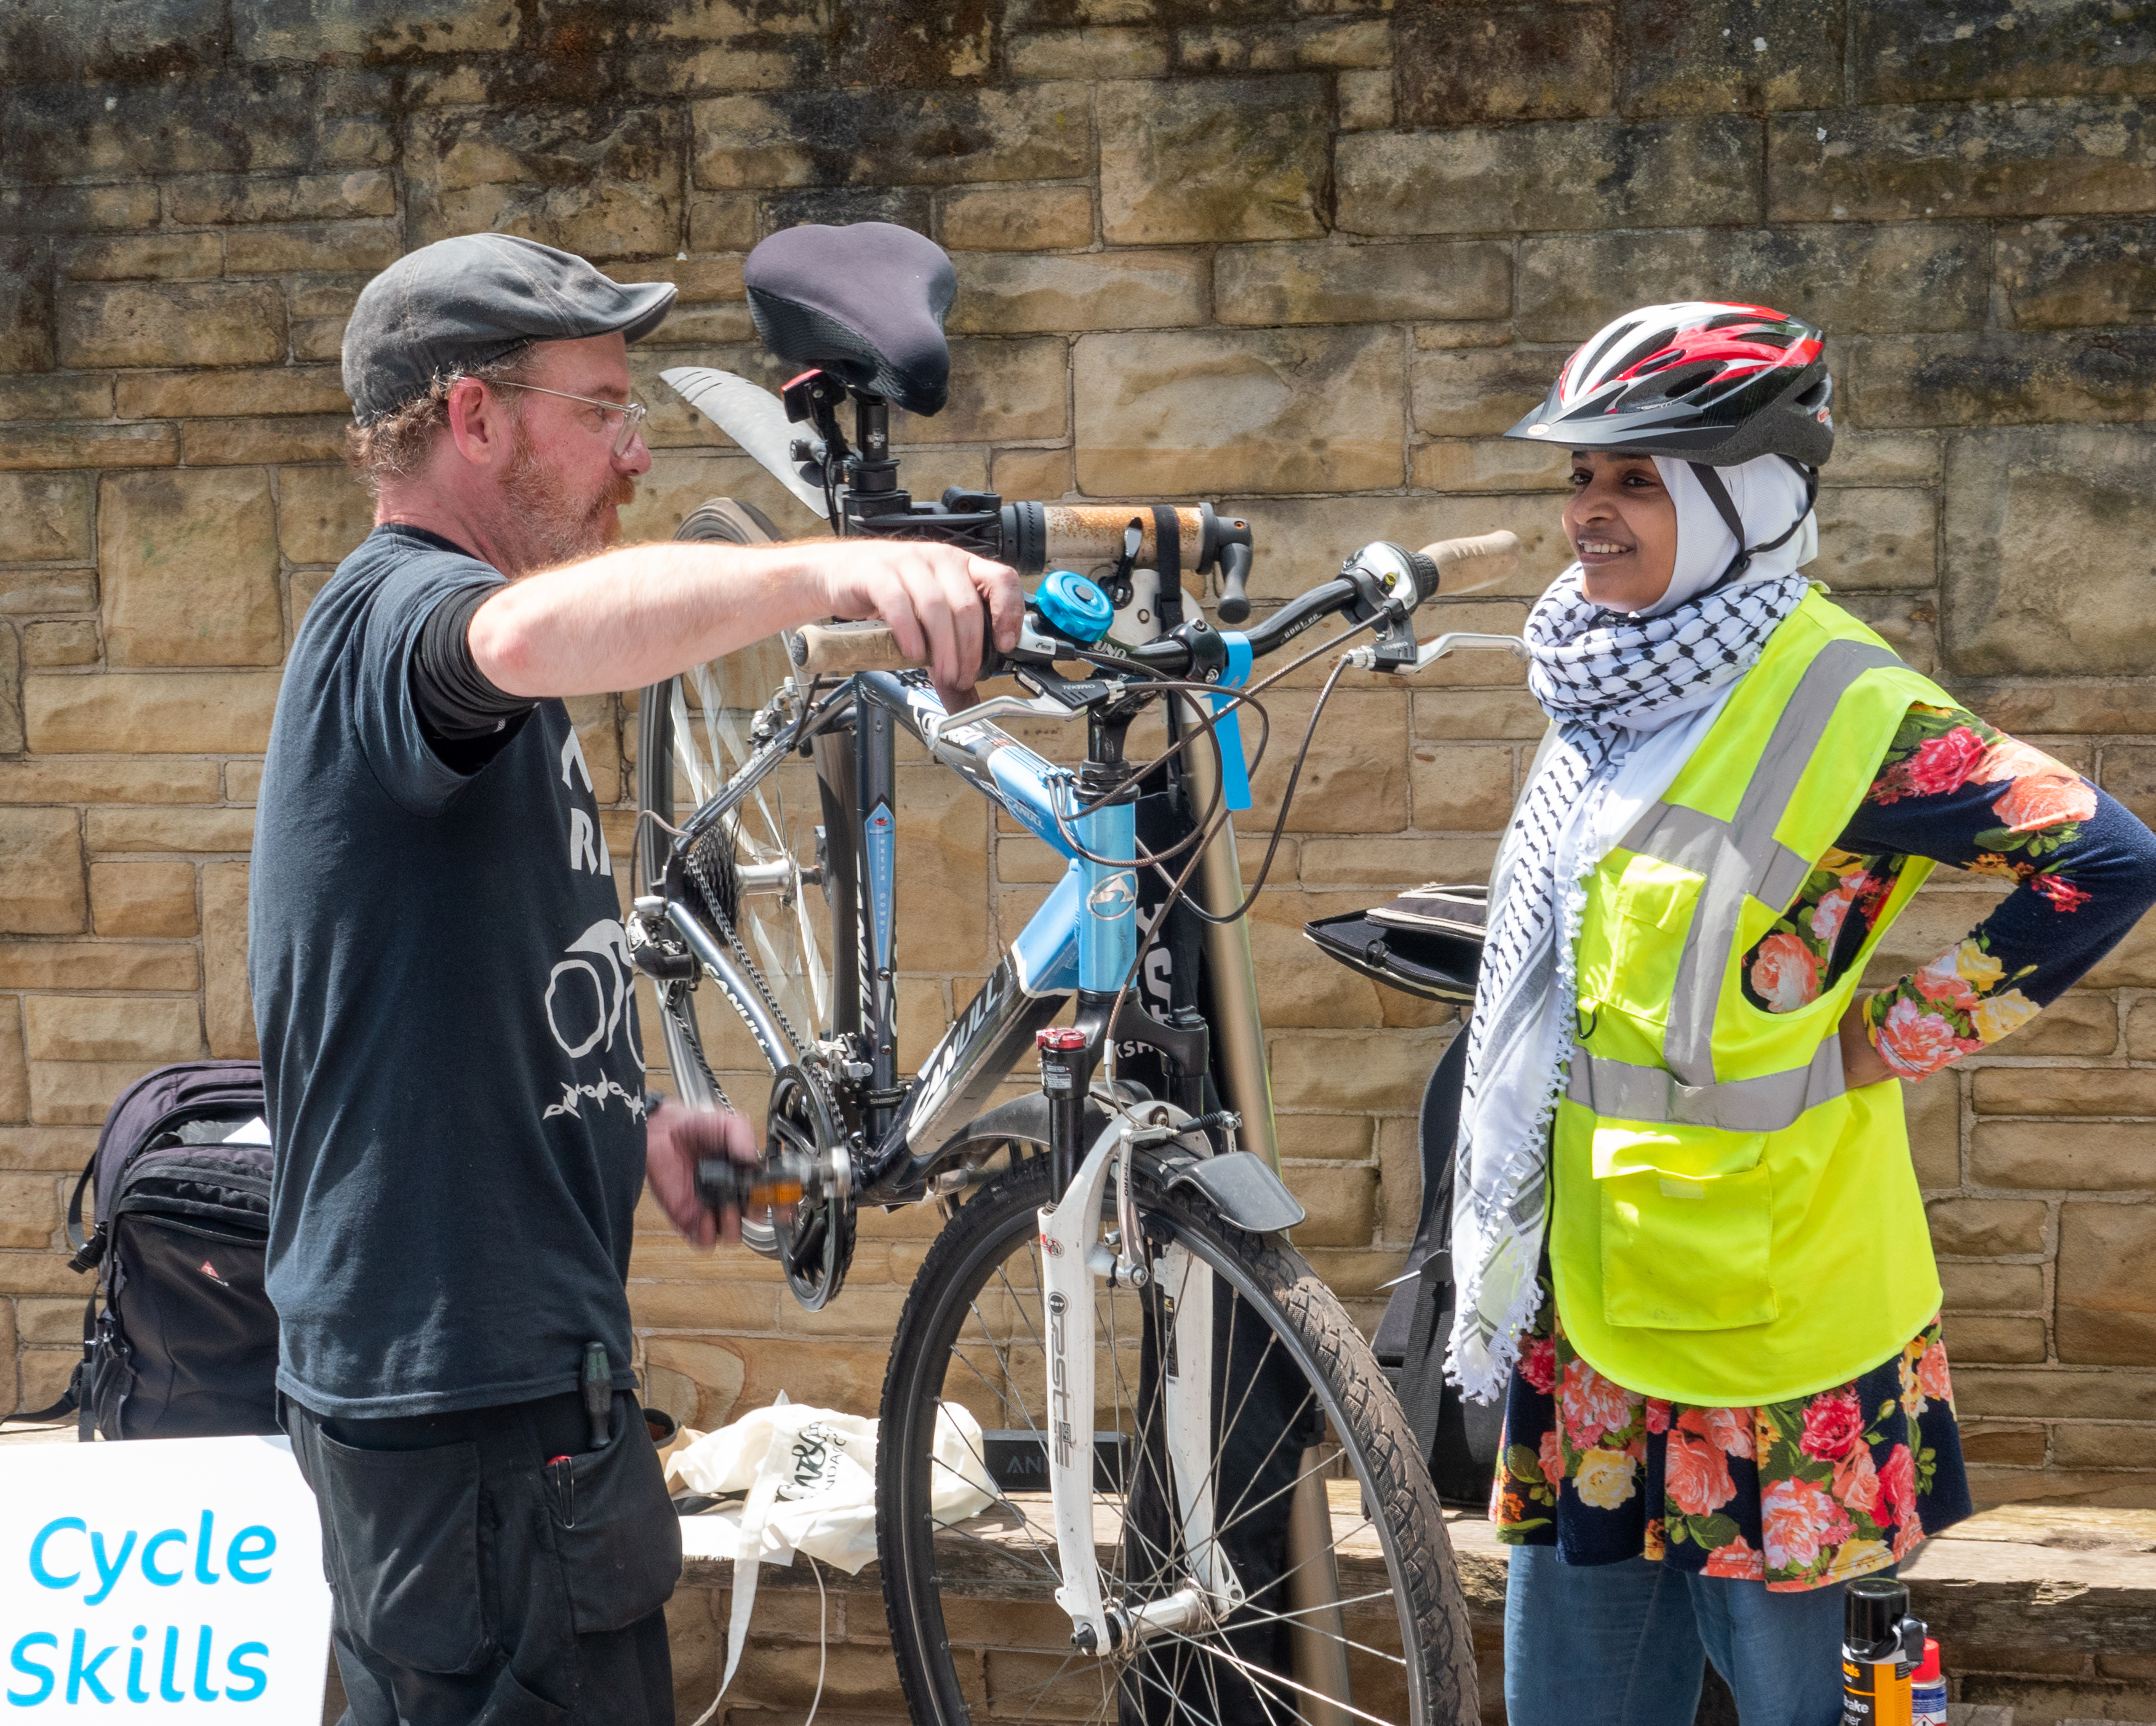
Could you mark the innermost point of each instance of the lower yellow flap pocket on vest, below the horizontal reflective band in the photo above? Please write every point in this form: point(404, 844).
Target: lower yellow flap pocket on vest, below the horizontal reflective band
point(1687, 1229)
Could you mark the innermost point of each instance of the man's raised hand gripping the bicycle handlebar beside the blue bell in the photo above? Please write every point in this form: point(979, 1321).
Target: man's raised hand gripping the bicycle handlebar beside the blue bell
point(930, 598)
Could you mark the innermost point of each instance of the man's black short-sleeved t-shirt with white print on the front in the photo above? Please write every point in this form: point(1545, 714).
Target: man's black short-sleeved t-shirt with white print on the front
point(447, 1020)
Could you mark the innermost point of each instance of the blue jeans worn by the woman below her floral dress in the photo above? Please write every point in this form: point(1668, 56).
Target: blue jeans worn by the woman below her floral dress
point(1627, 1645)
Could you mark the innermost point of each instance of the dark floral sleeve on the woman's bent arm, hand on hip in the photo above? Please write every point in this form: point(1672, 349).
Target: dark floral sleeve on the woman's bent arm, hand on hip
point(1963, 794)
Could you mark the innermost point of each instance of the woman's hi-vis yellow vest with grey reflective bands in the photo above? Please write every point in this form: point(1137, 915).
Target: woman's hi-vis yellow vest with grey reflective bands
point(1730, 1225)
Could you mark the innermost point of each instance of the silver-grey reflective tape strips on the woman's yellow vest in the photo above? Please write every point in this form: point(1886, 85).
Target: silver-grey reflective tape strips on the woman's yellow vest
point(1735, 859)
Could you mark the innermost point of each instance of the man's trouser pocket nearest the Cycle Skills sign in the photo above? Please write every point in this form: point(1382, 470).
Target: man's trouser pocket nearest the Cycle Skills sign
point(404, 1550)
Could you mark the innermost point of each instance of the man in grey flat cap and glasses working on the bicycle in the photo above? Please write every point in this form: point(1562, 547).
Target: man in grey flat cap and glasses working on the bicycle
point(445, 997)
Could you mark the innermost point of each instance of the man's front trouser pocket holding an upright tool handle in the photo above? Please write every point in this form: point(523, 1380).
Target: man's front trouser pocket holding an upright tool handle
point(616, 1527)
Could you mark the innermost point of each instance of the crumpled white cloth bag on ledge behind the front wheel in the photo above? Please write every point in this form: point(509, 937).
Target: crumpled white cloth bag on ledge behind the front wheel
point(812, 1488)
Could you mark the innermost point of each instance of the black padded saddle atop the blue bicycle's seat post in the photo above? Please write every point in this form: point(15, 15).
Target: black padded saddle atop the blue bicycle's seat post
point(863, 303)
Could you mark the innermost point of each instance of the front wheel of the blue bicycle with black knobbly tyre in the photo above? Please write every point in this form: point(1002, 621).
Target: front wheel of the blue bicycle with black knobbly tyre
point(1318, 1499)
